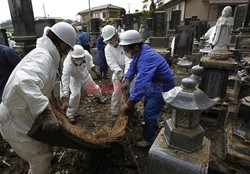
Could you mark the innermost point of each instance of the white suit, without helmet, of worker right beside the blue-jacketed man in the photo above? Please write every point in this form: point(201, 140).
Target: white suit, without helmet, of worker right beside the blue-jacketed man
point(117, 62)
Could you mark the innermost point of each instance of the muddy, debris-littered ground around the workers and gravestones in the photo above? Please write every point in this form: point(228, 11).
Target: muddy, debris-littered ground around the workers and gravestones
point(125, 158)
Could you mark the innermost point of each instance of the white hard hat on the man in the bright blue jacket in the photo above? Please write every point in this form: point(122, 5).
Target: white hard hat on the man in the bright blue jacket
point(130, 37)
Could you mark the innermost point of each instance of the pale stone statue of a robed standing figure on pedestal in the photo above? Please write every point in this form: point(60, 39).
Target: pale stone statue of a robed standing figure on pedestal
point(221, 38)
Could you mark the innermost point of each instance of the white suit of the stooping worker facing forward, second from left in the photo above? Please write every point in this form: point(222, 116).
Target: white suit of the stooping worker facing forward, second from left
point(74, 78)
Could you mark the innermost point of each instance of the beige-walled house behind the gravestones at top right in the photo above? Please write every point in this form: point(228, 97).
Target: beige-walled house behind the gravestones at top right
point(209, 10)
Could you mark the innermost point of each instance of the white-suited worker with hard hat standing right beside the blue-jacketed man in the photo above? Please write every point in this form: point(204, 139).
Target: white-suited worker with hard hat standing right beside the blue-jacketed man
point(118, 63)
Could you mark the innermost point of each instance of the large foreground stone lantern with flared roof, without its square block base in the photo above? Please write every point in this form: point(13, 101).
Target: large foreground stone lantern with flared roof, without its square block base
point(183, 130)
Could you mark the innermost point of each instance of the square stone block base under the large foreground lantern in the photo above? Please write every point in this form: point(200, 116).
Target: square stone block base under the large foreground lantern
point(162, 159)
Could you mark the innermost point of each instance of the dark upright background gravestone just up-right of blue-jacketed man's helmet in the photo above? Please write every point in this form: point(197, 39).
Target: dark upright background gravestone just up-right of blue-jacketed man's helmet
point(159, 24)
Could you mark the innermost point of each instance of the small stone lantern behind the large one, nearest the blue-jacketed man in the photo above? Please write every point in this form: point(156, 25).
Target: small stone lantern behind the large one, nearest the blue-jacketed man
point(183, 70)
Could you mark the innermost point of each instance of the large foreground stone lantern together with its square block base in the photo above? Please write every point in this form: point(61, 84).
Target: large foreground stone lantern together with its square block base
point(181, 147)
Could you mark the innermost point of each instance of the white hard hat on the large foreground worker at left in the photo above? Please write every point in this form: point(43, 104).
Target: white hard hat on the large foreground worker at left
point(65, 32)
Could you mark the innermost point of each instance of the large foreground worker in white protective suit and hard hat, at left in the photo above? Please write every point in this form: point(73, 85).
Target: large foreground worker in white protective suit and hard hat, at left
point(25, 96)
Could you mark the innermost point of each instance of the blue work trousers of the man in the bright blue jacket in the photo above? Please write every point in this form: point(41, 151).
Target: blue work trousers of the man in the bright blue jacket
point(152, 109)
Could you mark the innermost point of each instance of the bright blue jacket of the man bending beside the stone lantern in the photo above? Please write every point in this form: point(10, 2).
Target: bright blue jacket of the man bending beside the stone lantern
point(153, 74)
